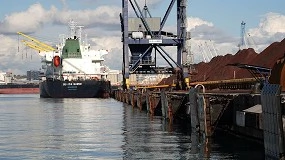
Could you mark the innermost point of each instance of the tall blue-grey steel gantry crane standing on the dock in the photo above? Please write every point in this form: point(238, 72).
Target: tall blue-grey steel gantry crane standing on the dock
point(144, 37)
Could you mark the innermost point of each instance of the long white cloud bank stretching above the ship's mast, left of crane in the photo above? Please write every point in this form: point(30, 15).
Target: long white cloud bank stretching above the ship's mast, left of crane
point(35, 17)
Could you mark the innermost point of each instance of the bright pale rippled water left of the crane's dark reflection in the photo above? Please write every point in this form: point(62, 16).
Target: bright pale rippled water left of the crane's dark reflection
point(61, 129)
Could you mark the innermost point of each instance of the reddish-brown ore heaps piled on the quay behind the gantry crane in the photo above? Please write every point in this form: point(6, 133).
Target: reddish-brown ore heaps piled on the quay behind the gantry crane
point(218, 68)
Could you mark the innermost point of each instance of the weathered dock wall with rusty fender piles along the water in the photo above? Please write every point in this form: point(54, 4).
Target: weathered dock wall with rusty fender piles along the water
point(253, 115)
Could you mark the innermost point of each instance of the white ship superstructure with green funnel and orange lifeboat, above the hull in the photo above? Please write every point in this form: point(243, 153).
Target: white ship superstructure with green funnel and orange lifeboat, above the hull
point(85, 64)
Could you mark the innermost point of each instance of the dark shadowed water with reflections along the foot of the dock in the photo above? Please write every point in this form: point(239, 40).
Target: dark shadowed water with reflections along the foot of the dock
point(149, 137)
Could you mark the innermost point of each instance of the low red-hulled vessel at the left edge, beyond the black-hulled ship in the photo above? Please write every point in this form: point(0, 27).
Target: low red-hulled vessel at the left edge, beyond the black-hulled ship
point(9, 86)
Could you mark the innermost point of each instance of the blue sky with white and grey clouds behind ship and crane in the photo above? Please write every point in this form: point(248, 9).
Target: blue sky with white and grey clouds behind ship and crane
point(215, 27)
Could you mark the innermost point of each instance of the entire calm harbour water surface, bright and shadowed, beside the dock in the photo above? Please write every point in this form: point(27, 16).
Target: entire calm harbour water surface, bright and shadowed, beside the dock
point(36, 128)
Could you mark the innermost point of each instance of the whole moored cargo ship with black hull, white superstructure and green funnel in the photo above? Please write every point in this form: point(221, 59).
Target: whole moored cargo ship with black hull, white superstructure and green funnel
point(74, 70)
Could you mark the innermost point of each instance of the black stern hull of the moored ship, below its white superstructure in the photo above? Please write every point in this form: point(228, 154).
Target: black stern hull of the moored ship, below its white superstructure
point(75, 89)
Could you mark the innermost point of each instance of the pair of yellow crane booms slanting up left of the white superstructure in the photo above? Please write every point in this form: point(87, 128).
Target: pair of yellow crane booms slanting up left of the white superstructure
point(36, 44)
